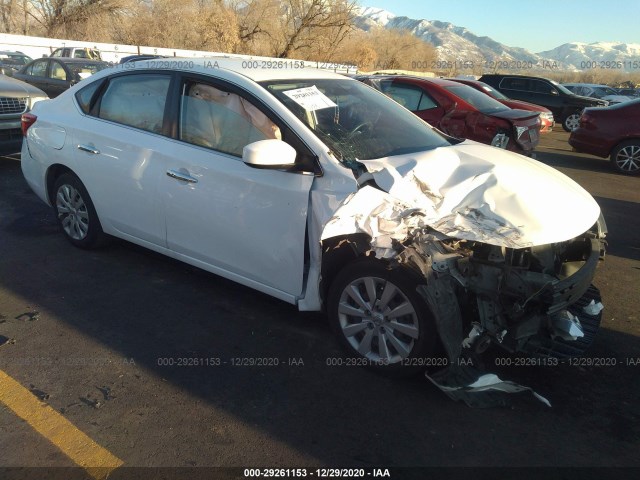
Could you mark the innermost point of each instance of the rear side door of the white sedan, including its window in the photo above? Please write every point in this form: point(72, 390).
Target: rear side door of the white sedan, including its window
point(117, 156)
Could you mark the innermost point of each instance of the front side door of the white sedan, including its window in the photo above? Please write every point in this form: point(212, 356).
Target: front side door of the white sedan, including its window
point(245, 223)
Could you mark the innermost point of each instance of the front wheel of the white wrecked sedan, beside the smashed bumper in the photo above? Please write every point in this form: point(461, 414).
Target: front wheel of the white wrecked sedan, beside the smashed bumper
point(380, 319)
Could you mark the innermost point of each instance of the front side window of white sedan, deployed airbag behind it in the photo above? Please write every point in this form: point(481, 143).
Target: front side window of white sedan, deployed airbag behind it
point(213, 118)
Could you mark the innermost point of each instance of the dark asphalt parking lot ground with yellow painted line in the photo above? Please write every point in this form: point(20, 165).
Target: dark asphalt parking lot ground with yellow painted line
point(163, 365)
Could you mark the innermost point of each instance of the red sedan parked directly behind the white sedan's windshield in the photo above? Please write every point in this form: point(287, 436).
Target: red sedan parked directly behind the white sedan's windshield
point(460, 111)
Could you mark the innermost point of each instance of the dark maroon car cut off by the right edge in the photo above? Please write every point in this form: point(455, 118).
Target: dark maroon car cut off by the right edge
point(611, 132)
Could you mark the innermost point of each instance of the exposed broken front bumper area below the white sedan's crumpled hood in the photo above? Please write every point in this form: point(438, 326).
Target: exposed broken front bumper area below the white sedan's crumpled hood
point(537, 300)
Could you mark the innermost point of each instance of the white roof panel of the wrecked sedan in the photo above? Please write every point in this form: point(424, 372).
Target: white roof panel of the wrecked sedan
point(250, 68)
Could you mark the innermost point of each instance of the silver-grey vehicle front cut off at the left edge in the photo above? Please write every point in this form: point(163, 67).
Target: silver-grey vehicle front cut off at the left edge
point(16, 98)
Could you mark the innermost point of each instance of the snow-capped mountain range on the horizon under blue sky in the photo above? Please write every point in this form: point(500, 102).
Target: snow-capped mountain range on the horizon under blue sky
point(454, 43)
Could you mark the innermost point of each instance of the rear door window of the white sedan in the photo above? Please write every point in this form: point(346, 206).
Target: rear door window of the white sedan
point(136, 100)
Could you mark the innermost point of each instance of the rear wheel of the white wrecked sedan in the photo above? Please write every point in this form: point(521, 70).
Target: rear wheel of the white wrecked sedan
point(75, 212)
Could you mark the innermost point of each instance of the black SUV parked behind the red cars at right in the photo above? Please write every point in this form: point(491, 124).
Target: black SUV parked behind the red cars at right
point(565, 105)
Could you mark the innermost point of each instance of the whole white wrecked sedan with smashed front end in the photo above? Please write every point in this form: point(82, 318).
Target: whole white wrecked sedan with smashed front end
point(320, 191)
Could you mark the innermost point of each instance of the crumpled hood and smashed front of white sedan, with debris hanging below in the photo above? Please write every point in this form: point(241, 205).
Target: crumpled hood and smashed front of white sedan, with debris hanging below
point(502, 263)
